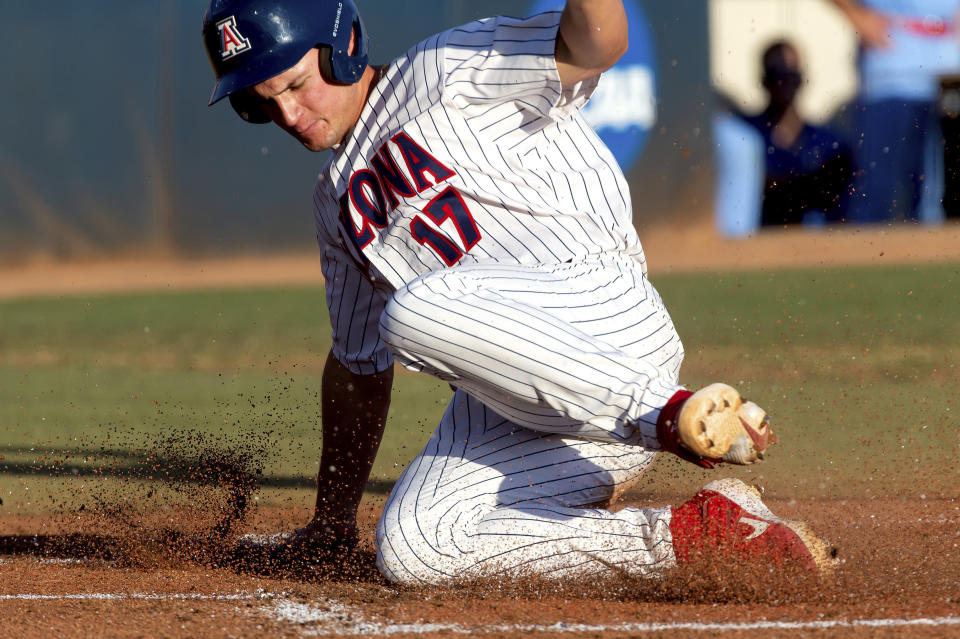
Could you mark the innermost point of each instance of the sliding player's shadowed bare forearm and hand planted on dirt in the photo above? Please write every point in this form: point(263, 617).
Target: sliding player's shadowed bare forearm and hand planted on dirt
point(354, 415)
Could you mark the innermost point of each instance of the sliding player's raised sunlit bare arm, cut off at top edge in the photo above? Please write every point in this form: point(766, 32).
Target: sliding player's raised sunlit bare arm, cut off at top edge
point(591, 38)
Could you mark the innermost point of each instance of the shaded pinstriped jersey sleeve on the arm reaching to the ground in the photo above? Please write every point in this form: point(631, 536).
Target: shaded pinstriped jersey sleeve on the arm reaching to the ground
point(355, 304)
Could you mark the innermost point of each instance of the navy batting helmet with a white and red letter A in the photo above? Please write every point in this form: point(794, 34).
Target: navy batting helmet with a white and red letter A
point(249, 41)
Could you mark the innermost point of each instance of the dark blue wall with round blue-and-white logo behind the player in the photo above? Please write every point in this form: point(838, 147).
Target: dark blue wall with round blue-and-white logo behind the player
point(107, 145)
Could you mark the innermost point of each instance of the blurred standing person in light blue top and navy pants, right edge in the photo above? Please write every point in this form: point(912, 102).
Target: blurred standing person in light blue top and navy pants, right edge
point(906, 47)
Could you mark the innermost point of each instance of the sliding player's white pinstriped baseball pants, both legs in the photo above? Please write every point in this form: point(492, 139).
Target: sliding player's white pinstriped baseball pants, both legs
point(561, 373)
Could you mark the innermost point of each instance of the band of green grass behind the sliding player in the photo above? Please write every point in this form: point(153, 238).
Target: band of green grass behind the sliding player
point(857, 366)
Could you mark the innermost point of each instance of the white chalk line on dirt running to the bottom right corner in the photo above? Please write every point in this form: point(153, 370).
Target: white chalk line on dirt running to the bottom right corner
point(336, 618)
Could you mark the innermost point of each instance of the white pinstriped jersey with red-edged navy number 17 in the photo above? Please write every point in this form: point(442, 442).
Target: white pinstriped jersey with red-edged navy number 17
point(469, 150)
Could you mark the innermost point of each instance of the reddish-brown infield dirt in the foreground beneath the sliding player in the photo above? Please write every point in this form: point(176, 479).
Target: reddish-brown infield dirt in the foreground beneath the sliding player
point(900, 561)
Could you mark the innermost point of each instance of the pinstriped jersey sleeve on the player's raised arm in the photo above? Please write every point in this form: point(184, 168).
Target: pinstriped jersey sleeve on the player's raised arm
point(503, 73)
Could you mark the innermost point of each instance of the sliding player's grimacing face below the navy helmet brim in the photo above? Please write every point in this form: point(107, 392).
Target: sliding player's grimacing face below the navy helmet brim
point(302, 103)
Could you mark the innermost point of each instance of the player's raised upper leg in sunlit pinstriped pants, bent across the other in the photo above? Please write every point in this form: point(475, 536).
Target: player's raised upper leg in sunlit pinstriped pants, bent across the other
point(583, 349)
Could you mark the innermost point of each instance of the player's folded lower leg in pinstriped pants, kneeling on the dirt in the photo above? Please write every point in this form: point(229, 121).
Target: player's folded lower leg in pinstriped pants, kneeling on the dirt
point(487, 497)
